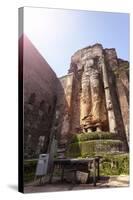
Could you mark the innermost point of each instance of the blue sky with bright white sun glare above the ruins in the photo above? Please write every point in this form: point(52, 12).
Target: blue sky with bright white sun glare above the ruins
point(57, 33)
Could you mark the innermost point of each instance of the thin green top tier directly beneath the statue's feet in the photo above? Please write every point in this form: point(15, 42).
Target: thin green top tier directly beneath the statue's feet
point(93, 136)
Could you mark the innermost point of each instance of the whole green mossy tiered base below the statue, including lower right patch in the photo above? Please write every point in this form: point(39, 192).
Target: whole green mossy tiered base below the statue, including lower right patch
point(105, 144)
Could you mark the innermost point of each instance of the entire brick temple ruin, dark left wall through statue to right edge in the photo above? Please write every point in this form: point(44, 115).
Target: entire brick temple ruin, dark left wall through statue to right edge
point(92, 97)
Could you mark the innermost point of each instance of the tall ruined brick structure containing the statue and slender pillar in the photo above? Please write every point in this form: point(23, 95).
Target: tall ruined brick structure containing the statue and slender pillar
point(99, 96)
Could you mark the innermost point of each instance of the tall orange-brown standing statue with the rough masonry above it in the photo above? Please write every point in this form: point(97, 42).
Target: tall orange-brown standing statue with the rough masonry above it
point(92, 105)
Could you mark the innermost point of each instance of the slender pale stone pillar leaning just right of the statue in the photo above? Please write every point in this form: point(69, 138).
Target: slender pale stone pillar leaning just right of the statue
point(110, 111)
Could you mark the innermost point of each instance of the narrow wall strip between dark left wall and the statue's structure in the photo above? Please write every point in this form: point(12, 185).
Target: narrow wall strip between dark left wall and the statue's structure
point(64, 106)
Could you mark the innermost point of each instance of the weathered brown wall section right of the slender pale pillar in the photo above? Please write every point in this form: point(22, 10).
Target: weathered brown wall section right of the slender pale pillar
point(120, 106)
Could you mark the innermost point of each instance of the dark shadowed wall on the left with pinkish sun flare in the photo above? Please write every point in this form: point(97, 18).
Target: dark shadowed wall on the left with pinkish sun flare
point(39, 88)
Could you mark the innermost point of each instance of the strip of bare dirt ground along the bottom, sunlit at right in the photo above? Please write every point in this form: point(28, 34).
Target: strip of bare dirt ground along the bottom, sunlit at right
point(104, 182)
